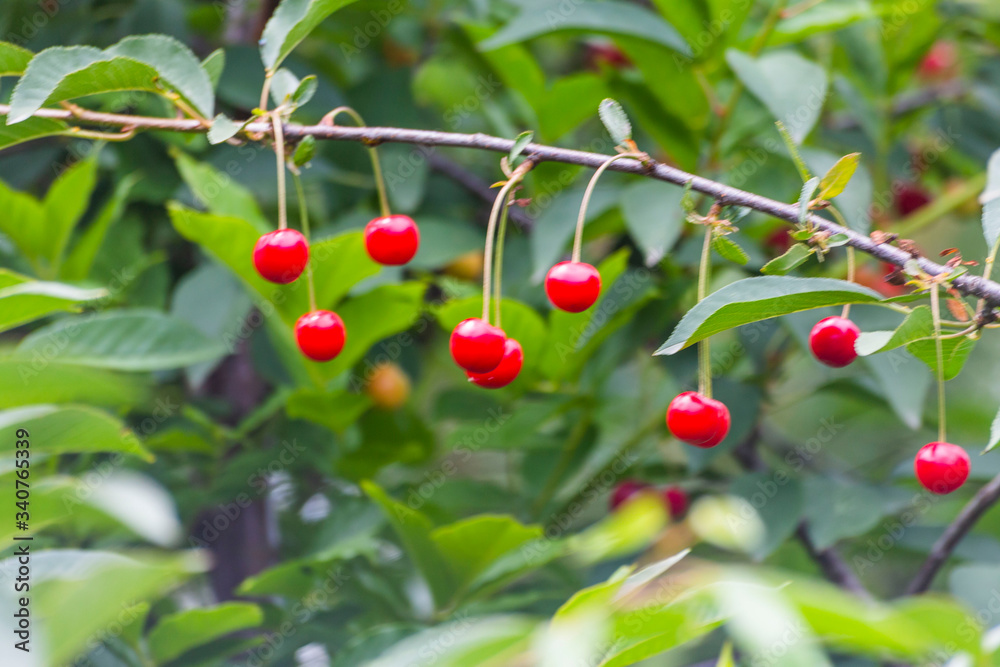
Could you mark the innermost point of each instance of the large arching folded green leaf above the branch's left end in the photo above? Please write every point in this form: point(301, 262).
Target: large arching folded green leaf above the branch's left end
point(145, 63)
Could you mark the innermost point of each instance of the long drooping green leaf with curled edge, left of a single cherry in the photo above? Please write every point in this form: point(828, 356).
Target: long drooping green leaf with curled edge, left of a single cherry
point(761, 298)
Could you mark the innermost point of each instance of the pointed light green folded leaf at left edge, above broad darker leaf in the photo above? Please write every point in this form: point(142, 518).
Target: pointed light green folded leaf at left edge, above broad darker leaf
point(23, 300)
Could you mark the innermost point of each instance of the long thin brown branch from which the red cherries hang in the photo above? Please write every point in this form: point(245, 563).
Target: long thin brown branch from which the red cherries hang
point(724, 194)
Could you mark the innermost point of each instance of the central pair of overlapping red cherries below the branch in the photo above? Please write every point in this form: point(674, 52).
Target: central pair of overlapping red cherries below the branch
point(489, 358)
